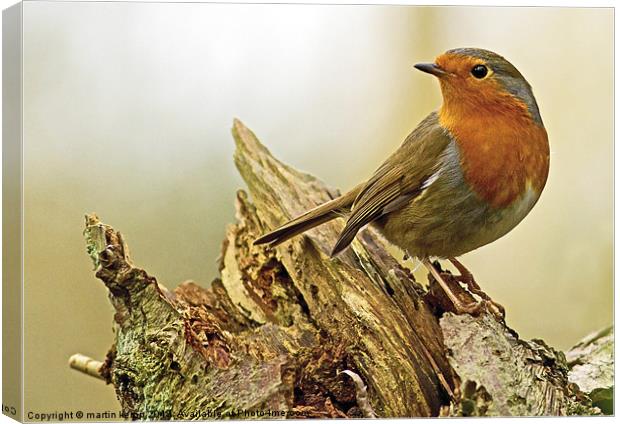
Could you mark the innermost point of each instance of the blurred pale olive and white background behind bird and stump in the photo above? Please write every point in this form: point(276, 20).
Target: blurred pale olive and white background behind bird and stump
point(128, 109)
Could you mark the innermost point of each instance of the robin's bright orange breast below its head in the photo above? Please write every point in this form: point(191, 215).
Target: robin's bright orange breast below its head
point(502, 150)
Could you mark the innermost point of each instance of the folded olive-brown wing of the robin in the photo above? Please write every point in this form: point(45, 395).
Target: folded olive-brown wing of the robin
point(402, 177)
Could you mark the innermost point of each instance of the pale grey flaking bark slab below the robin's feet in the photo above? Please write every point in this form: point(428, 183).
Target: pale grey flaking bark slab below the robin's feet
point(504, 376)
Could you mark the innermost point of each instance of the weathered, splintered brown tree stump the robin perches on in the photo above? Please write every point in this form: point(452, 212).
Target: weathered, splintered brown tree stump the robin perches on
point(289, 332)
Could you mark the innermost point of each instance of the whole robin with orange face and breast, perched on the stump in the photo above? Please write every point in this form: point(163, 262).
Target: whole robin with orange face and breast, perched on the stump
point(466, 176)
